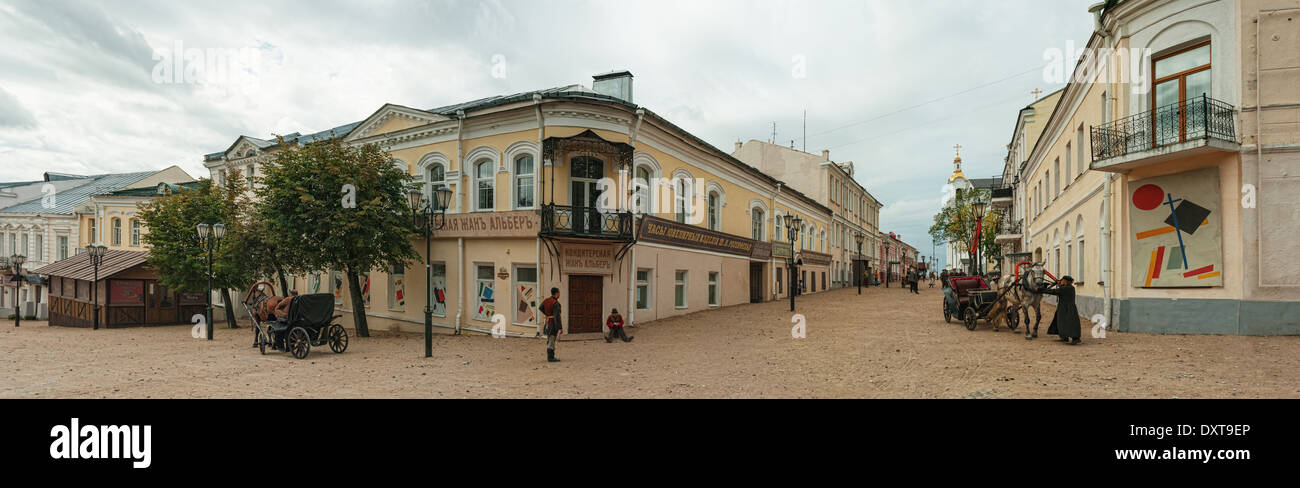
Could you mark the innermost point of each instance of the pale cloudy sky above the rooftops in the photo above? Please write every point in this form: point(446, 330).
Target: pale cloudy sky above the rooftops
point(890, 85)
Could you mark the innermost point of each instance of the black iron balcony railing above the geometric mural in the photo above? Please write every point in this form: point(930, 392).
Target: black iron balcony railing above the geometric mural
point(1189, 120)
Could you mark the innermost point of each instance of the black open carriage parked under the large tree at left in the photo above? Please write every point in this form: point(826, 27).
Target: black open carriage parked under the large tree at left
point(306, 322)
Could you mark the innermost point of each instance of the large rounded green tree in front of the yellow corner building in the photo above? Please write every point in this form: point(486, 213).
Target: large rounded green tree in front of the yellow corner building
point(333, 206)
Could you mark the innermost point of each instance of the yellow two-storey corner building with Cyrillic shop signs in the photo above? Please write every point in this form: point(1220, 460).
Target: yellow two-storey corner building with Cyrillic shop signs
point(569, 188)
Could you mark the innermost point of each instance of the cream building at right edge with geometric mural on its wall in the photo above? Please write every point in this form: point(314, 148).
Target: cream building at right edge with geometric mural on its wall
point(1167, 185)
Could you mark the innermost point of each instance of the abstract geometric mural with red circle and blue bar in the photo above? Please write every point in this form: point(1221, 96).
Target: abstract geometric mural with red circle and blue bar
point(1177, 231)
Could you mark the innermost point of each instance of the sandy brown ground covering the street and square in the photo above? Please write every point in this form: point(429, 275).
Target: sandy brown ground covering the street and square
point(885, 344)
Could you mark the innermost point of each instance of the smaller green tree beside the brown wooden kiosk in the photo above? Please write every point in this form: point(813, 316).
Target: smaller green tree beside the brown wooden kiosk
point(175, 251)
